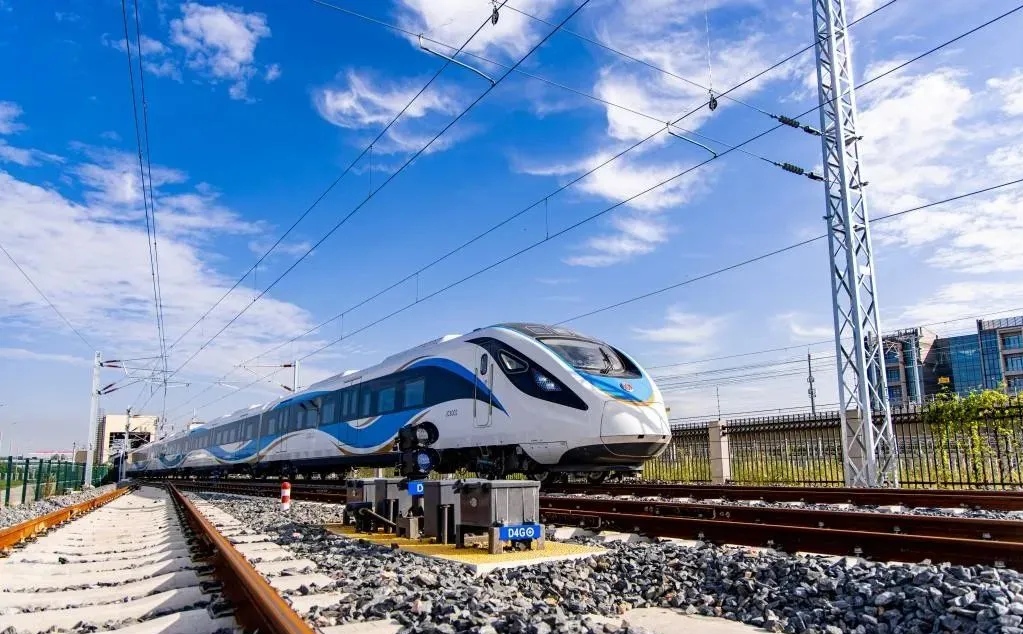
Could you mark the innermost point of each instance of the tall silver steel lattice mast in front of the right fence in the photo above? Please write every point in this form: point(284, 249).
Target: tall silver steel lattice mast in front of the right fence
point(870, 450)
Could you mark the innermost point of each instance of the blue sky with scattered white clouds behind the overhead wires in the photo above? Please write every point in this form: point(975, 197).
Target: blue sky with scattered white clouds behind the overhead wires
point(255, 108)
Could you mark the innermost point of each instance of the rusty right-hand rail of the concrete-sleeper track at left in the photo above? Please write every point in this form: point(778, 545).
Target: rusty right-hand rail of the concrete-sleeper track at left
point(257, 605)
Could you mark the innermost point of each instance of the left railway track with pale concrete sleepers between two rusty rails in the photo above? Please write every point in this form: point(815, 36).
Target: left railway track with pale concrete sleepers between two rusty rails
point(139, 561)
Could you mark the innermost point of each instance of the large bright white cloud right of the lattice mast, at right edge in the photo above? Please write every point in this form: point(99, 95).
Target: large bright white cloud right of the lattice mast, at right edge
point(931, 135)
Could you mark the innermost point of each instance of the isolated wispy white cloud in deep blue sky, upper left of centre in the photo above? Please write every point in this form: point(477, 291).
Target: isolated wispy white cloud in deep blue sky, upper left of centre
point(358, 102)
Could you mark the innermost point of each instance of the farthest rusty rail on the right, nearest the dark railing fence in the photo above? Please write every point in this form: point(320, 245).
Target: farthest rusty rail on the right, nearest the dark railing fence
point(993, 501)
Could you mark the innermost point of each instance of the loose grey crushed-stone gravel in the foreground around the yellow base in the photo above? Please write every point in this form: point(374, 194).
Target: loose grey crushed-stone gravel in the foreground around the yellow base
point(774, 592)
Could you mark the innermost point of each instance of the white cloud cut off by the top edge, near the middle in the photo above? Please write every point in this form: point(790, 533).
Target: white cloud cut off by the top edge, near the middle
point(453, 22)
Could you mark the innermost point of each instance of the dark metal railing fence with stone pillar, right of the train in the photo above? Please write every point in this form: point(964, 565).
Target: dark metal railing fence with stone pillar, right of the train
point(807, 450)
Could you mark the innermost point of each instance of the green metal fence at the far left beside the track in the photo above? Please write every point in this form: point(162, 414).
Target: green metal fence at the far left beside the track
point(27, 480)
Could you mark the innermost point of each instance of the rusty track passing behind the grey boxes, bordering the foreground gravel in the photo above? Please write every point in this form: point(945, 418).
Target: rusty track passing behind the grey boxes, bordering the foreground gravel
point(871, 535)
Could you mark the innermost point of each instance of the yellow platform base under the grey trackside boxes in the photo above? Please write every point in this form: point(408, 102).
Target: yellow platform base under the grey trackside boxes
point(477, 559)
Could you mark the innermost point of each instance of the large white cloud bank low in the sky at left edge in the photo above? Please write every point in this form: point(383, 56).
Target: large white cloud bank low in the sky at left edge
point(105, 289)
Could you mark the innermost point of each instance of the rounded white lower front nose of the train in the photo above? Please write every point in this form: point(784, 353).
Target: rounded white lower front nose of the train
point(635, 431)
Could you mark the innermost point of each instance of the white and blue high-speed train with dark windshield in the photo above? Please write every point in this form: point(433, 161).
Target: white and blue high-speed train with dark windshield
point(514, 398)
